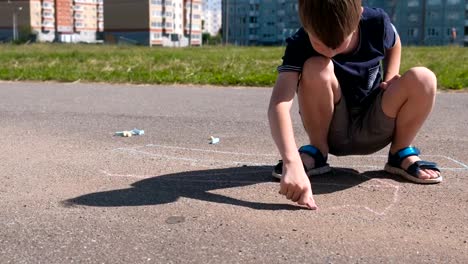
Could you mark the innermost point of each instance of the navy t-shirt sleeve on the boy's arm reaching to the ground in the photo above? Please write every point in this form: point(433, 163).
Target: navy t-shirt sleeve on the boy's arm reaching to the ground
point(296, 52)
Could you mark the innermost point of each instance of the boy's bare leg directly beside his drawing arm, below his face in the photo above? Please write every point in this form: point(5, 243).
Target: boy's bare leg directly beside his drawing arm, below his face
point(318, 93)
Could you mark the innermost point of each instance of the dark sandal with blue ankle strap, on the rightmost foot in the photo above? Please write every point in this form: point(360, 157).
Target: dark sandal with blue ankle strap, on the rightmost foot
point(411, 173)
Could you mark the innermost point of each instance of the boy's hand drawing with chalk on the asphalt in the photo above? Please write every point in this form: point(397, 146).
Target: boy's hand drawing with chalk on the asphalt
point(295, 185)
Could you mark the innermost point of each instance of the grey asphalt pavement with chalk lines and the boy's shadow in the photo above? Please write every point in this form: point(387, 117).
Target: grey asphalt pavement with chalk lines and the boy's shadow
point(73, 192)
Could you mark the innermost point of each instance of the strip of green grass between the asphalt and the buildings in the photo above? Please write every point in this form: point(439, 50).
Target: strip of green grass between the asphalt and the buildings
point(246, 66)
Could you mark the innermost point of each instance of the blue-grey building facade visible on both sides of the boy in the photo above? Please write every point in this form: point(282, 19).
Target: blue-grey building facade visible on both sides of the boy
point(419, 22)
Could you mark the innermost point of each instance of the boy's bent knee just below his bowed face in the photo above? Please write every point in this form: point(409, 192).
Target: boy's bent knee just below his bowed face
point(318, 68)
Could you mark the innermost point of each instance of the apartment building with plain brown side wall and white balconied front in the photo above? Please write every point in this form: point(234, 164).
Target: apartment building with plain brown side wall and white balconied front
point(173, 23)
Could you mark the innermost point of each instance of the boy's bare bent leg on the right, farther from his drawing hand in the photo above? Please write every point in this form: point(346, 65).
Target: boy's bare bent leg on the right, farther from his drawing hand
point(409, 99)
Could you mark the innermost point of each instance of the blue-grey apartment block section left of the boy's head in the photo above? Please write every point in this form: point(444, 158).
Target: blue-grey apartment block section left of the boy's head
point(259, 22)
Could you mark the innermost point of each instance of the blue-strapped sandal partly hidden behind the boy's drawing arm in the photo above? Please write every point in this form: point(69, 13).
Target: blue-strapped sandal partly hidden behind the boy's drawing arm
point(321, 165)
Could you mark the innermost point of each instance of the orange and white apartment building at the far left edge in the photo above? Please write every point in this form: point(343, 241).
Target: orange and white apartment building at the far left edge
point(52, 20)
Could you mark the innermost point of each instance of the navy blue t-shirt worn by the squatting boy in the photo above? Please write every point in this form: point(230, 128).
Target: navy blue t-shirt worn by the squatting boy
point(359, 73)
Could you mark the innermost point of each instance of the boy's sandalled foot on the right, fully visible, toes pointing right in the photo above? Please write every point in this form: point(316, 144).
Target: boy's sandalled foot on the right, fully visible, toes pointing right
point(406, 163)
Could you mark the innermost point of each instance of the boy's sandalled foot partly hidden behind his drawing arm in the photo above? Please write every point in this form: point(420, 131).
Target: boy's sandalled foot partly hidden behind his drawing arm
point(312, 159)
